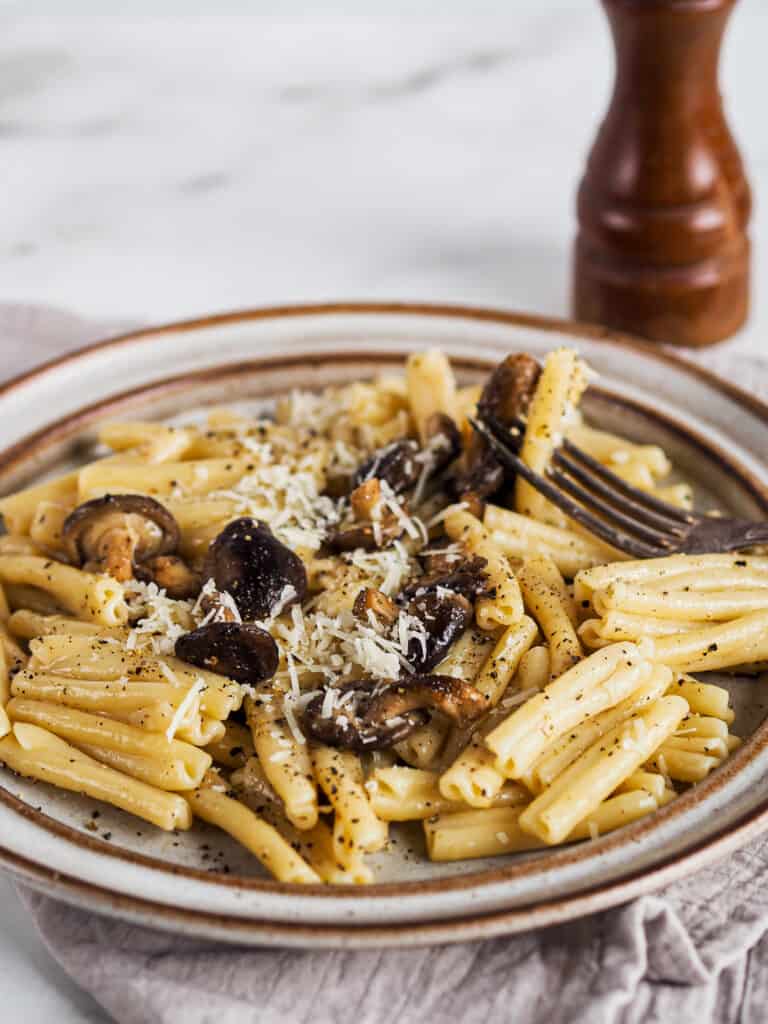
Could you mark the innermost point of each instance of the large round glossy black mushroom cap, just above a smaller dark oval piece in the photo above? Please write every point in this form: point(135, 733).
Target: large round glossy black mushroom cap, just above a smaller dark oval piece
point(261, 573)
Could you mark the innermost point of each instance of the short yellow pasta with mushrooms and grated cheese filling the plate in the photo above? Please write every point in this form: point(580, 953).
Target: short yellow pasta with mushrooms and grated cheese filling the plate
point(308, 628)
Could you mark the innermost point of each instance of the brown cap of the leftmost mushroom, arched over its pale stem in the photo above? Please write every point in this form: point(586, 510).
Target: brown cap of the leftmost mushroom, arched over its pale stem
point(155, 528)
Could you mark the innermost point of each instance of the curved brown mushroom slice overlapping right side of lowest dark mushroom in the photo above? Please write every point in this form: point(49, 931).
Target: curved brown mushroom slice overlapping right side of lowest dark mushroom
point(454, 698)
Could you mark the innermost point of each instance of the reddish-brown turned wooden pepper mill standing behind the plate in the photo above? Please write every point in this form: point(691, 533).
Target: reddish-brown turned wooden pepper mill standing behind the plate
point(663, 208)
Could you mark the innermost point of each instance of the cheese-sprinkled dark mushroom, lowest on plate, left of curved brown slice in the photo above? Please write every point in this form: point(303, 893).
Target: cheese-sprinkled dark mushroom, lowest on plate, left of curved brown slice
point(345, 723)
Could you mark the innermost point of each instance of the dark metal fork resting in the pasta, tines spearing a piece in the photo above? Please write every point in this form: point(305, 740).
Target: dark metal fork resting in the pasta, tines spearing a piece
point(619, 514)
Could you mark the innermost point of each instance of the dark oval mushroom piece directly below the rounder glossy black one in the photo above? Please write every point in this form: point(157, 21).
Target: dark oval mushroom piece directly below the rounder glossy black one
point(240, 651)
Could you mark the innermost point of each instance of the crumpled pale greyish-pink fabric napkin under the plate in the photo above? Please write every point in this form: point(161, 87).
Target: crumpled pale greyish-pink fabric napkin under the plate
point(697, 951)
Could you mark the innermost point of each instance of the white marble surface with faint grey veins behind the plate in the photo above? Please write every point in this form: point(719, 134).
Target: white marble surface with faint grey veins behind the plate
point(167, 167)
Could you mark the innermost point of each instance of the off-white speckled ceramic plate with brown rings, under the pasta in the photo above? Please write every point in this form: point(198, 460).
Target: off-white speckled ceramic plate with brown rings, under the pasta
point(199, 883)
